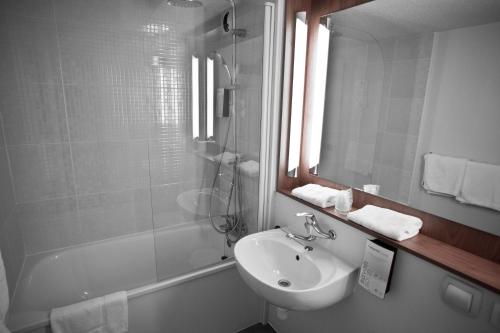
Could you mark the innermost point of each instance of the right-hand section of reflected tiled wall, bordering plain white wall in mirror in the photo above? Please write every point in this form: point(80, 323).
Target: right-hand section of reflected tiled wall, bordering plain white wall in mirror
point(406, 65)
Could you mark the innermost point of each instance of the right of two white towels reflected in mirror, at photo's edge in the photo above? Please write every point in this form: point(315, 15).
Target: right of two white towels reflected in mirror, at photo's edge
point(481, 185)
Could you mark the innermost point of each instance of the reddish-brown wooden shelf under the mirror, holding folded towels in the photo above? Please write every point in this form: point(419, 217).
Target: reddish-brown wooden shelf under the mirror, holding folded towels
point(485, 273)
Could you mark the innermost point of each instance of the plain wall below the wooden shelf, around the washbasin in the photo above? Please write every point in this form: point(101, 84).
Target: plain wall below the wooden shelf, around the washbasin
point(412, 305)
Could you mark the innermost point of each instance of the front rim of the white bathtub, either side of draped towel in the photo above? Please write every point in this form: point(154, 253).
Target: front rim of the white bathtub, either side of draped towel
point(146, 290)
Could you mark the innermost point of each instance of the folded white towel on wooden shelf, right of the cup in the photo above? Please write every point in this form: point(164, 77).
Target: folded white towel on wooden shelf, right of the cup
point(387, 222)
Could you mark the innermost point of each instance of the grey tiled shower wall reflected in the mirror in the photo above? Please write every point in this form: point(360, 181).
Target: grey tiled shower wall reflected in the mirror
point(382, 84)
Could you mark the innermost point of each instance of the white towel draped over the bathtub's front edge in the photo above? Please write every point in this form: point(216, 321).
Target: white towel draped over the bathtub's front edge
point(108, 314)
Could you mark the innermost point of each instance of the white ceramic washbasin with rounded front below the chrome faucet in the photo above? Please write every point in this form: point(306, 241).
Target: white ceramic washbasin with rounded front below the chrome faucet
point(317, 278)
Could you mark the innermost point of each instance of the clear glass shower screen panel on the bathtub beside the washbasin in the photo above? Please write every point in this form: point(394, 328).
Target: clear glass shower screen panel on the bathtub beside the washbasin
point(204, 150)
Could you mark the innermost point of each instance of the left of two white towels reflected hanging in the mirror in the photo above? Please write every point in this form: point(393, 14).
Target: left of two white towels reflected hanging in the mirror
point(443, 174)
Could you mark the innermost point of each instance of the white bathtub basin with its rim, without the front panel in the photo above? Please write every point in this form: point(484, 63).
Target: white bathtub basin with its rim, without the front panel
point(74, 274)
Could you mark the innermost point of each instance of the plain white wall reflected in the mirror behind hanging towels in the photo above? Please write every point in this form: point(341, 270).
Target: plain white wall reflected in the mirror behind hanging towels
point(462, 114)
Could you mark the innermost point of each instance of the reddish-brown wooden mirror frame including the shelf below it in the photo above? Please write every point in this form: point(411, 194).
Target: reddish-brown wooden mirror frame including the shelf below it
point(469, 252)
